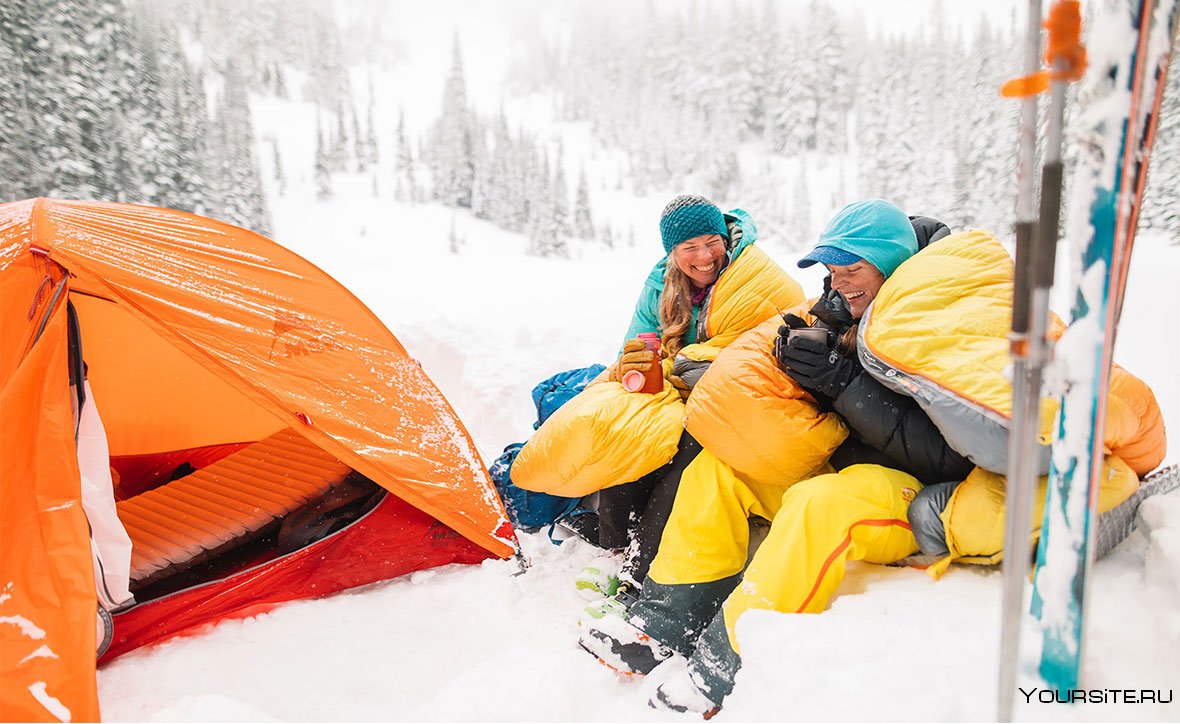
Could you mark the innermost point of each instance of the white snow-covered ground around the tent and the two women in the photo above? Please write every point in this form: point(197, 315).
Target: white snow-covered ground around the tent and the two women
point(467, 643)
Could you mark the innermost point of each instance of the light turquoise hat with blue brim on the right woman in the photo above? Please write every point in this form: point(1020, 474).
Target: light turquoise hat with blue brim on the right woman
point(874, 231)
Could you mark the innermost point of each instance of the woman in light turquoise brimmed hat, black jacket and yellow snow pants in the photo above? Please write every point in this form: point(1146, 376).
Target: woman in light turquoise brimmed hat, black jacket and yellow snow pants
point(817, 524)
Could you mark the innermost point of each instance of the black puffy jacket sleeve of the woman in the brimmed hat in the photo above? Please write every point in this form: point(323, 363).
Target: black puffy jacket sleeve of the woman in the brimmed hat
point(897, 426)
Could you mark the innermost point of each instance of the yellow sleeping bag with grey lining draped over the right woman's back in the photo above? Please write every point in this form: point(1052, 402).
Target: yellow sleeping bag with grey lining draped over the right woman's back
point(939, 333)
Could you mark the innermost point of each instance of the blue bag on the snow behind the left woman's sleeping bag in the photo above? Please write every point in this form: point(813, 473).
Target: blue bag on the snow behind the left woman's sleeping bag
point(532, 511)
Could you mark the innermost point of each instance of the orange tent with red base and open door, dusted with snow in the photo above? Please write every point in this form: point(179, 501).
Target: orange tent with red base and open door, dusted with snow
point(201, 340)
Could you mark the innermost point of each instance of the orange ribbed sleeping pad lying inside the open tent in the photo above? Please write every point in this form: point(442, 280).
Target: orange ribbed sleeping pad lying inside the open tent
point(226, 504)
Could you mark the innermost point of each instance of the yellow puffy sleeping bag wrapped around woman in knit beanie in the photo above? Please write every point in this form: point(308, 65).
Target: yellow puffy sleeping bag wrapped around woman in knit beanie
point(607, 437)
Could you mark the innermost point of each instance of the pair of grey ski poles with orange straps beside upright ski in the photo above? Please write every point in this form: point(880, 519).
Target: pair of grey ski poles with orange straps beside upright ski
point(1037, 242)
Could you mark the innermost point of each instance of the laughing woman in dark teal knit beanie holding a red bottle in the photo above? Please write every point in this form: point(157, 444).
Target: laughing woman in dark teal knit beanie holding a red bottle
point(681, 301)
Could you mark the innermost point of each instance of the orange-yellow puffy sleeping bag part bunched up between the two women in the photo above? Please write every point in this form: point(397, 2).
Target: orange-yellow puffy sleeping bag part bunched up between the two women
point(755, 418)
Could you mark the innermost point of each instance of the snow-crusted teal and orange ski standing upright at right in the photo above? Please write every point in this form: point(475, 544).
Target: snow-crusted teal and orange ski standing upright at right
point(1115, 130)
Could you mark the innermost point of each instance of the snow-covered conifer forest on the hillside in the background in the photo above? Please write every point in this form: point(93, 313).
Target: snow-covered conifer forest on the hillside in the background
point(147, 102)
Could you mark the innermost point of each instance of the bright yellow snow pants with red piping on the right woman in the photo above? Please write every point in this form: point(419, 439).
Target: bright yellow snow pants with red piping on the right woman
point(817, 526)
